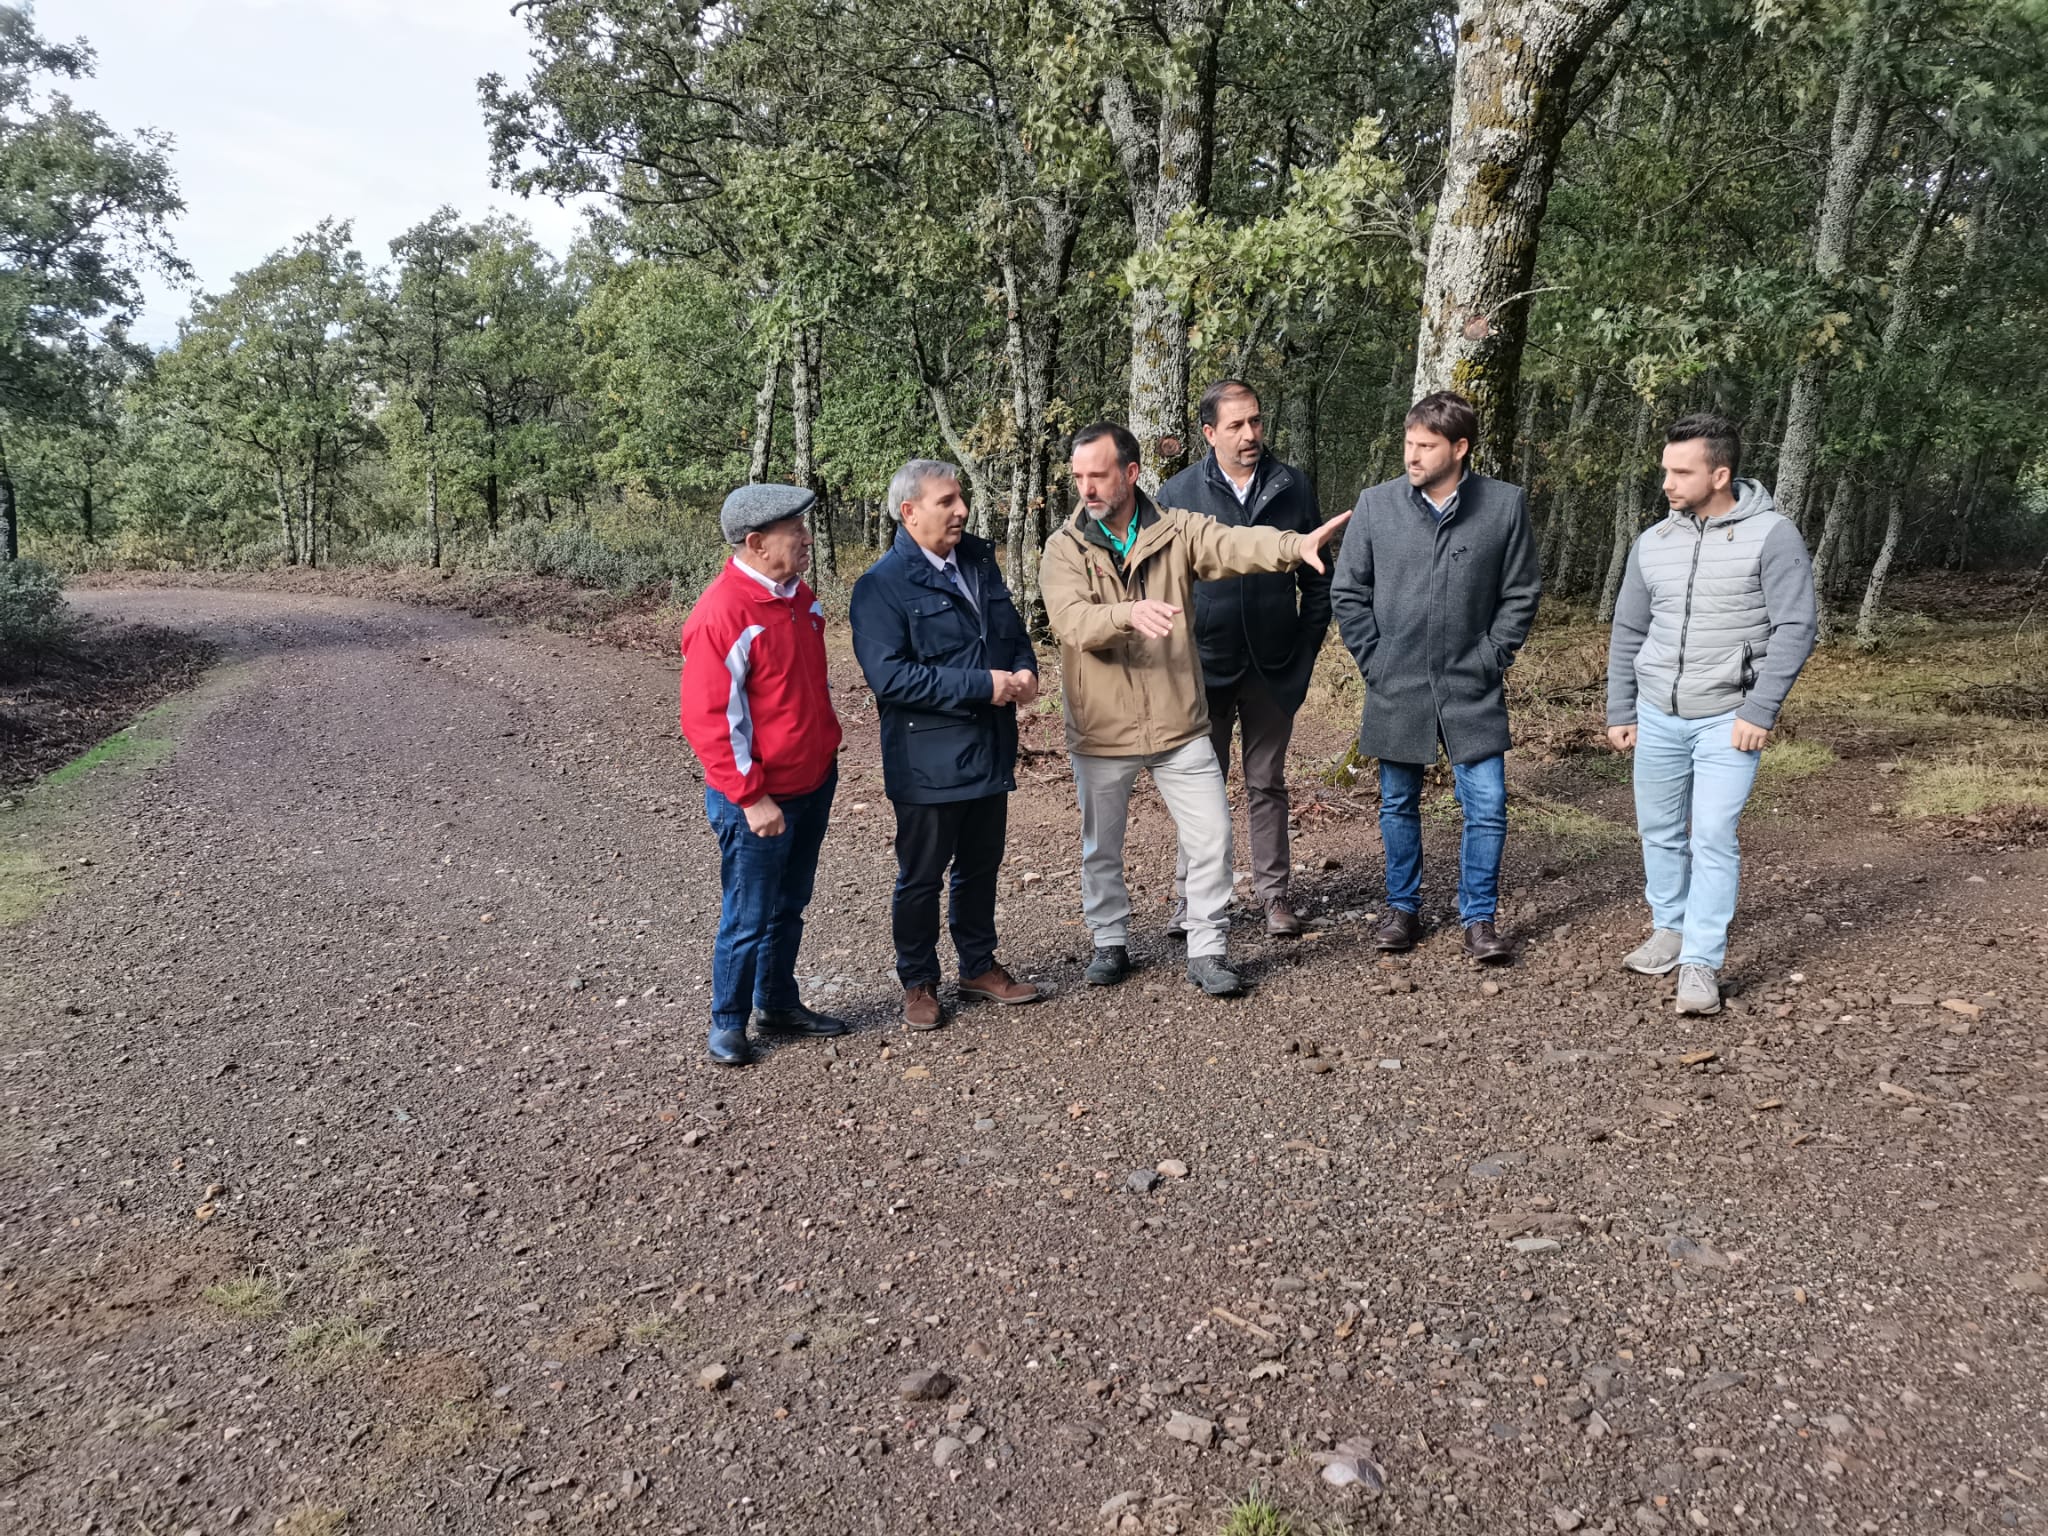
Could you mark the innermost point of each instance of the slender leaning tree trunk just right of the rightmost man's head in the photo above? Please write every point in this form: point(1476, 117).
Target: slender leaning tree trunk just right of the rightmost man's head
point(1854, 134)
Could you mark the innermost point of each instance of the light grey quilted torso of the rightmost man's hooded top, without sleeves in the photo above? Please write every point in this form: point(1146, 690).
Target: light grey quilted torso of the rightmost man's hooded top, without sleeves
point(1709, 622)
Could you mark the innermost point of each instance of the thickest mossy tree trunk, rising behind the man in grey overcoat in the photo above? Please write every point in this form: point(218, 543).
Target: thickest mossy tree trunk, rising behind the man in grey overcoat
point(1510, 110)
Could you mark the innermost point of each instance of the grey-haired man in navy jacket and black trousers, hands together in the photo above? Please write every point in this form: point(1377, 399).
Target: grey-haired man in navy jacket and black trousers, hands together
point(945, 652)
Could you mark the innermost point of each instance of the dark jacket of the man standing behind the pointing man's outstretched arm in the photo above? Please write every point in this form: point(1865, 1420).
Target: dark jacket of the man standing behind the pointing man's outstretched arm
point(1269, 624)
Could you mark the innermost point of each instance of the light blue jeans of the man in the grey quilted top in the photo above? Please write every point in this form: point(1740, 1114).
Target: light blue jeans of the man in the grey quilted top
point(1691, 769)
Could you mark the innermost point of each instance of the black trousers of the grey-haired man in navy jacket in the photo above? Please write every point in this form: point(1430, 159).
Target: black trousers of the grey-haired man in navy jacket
point(968, 837)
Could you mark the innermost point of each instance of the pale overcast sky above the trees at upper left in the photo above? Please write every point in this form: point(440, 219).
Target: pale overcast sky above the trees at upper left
point(288, 112)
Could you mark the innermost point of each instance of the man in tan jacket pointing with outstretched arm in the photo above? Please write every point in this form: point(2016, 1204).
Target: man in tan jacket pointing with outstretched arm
point(1117, 581)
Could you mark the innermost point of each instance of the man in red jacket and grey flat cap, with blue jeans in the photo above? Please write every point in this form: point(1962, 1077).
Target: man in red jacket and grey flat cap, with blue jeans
point(759, 714)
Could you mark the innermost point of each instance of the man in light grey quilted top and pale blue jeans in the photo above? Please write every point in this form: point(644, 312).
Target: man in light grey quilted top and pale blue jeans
point(1713, 624)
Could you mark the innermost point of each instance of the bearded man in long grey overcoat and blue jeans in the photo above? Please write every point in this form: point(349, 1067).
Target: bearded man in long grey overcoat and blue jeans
point(1435, 593)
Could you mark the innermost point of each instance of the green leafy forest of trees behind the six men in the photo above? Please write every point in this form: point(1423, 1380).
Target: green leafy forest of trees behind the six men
point(837, 234)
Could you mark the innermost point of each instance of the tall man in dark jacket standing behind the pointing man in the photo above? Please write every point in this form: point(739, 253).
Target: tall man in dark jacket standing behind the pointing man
point(1258, 634)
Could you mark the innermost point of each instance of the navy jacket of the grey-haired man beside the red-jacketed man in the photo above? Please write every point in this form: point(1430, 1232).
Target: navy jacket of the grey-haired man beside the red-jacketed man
point(929, 654)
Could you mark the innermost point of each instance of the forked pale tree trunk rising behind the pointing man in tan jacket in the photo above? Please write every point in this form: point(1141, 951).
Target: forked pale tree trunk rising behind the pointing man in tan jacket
point(1166, 148)
